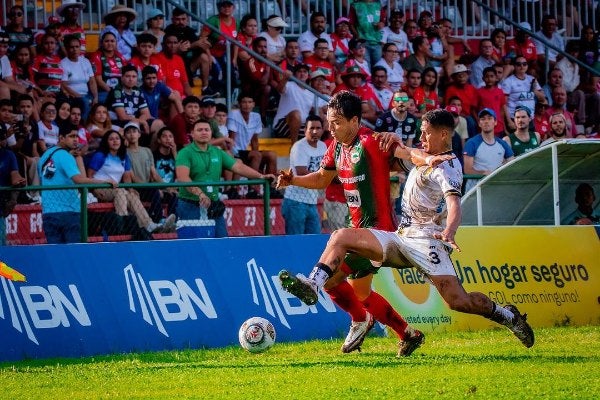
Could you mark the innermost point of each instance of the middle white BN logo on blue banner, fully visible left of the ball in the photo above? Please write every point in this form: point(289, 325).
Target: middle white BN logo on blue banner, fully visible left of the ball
point(164, 301)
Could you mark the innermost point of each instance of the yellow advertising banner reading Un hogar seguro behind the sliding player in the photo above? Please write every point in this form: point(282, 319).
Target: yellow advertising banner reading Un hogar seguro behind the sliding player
point(550, 273)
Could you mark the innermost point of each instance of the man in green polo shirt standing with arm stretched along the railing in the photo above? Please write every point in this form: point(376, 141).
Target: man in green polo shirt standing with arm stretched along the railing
point(202, 162)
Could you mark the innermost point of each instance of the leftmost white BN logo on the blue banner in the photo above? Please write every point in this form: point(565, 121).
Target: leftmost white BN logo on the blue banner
point(41, 307)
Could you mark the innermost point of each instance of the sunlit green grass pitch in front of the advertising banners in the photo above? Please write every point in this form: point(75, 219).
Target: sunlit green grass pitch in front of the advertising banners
point(563, 364)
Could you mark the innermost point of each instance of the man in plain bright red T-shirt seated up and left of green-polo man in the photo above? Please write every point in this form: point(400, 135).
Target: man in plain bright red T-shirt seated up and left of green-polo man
point(172, 65)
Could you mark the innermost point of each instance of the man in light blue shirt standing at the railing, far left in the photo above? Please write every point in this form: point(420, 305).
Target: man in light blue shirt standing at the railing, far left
point(61, 208)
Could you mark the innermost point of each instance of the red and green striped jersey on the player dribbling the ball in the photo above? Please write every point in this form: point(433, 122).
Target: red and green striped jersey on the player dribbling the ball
point(364, 171)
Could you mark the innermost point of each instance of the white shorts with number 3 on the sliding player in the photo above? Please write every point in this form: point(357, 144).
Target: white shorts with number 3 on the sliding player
point(430, 256)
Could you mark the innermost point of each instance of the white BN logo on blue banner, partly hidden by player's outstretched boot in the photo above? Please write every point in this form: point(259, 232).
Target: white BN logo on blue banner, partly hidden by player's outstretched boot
point(278, 303)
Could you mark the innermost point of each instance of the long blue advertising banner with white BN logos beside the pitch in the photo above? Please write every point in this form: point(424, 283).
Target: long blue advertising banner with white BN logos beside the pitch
point(87, 299)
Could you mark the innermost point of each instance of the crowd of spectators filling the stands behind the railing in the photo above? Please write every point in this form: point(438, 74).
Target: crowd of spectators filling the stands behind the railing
point(52, 81)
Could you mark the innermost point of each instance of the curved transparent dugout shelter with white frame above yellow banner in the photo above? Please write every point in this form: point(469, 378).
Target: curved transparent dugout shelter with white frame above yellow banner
point(537, 188)
